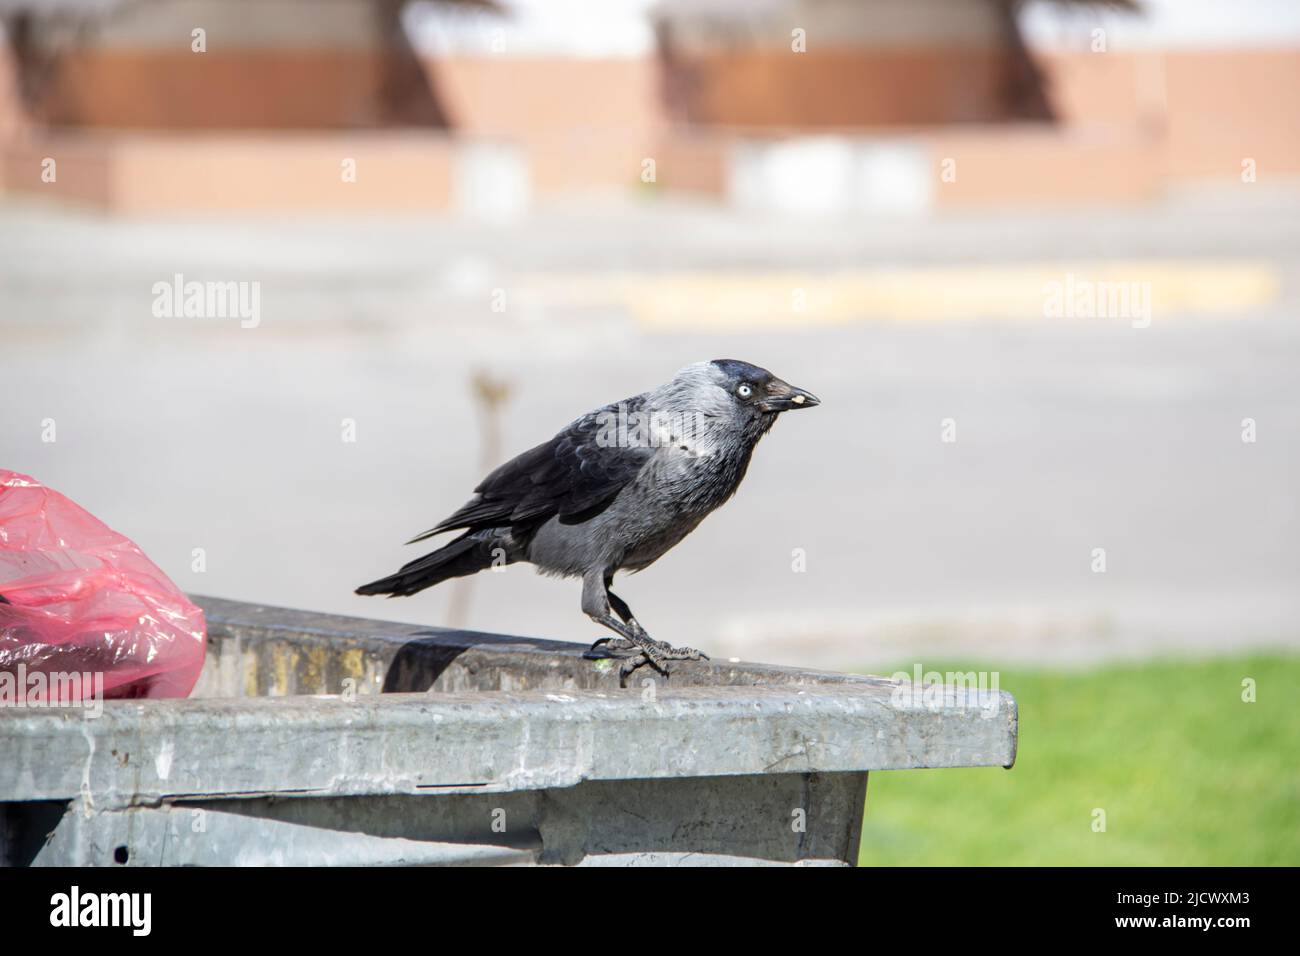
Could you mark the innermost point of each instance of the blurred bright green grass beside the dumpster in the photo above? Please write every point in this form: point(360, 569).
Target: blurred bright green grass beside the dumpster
point(1186, 772)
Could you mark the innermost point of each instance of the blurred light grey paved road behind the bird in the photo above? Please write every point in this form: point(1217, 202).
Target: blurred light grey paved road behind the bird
point(1072, 435)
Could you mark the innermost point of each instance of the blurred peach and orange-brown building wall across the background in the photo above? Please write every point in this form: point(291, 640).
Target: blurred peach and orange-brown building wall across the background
point(1132, 124)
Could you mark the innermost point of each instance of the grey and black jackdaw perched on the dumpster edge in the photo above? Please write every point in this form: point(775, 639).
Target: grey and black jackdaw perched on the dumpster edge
point(612, 492)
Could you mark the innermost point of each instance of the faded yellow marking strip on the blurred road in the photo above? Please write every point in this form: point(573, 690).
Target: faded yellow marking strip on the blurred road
point(730, 300)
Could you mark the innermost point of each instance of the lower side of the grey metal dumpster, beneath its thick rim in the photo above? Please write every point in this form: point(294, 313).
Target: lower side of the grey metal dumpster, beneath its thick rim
point(704, 821)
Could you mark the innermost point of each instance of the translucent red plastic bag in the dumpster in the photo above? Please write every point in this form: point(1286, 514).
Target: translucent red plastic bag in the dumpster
point(79, 599)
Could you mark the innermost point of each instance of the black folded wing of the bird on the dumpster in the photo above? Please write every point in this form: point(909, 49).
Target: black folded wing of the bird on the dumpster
point(575, 475)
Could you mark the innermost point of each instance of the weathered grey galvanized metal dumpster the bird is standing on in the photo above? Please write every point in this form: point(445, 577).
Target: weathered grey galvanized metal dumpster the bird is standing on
point(319, 741)
